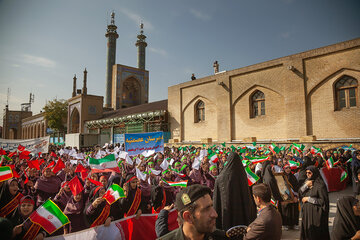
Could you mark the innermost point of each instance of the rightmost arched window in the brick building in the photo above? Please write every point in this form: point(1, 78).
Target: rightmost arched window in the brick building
point(346, 92)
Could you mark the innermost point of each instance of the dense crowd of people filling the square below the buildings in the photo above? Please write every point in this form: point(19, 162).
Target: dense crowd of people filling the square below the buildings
point(224, 171)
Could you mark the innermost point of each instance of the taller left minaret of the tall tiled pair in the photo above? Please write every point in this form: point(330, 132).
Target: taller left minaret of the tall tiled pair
point(111, 35)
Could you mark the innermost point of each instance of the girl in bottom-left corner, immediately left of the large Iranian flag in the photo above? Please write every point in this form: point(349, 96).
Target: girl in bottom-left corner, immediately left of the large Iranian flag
point(23, 228)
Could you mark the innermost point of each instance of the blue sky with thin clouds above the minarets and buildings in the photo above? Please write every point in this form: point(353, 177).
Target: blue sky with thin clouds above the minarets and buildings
point(43, 43)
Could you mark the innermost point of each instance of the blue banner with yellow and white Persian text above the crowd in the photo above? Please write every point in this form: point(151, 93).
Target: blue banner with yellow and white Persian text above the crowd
point(136, 143)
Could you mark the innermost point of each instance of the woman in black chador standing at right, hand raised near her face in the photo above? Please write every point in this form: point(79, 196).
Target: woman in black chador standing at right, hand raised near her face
point(315, 207)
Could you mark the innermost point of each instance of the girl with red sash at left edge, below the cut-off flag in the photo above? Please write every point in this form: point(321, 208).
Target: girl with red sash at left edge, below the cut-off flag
point(9, 197)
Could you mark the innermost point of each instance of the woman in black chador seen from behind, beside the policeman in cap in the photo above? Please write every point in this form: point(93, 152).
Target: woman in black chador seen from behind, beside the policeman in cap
point(232, 199)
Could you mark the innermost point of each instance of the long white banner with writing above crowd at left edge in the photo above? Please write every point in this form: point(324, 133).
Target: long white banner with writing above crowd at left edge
point(34, 145)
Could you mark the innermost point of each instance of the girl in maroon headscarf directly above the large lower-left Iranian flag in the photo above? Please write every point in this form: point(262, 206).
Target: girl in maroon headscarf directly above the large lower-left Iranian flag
point(47, 186)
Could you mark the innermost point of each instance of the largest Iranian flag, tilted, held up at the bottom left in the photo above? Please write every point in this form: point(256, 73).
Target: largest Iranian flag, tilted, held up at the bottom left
point(49, 217)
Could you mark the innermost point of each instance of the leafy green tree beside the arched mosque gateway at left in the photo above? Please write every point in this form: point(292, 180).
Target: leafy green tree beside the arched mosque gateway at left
point(56, 114)
